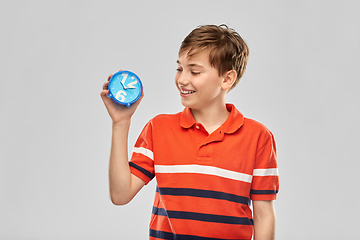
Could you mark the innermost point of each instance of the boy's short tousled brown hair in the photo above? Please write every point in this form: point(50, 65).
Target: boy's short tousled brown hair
point(227, 50)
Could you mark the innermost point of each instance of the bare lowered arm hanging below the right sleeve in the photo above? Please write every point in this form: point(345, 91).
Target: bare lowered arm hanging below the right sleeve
point(264, 220)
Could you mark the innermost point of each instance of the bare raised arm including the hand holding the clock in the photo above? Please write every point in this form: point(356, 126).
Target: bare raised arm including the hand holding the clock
point(123, 185)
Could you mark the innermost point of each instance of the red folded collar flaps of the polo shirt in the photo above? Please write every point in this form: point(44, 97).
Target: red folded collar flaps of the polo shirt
point(231, 125)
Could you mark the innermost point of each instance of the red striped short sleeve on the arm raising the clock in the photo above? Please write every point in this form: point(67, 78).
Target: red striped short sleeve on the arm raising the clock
point(142, 159)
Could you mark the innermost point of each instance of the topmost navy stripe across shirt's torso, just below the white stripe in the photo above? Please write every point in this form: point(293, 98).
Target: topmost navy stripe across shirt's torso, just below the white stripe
point(203, 194)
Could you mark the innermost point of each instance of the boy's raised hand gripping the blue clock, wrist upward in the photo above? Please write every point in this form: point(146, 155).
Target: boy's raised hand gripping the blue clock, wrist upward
point(117, 112)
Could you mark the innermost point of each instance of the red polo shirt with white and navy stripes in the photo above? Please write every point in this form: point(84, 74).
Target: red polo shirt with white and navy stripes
point(205, 182)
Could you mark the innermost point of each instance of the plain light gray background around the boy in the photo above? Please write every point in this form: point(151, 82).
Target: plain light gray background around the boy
point(302, 82)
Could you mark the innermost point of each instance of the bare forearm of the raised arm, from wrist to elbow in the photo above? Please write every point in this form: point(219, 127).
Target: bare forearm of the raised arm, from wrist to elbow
point(119, 170)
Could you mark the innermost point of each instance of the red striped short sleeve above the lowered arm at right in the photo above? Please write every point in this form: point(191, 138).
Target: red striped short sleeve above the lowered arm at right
point(265, 183)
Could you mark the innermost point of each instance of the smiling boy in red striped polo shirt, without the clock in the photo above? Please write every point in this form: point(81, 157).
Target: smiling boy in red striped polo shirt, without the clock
point(209, 161)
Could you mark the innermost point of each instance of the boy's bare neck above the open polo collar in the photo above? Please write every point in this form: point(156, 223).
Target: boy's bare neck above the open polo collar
point(211, 118)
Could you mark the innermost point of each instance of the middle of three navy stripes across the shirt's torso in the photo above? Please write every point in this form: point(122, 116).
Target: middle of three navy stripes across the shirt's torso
point(202, 217)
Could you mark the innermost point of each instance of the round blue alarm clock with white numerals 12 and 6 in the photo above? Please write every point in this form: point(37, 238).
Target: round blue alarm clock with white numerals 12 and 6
point(125, 88)
